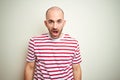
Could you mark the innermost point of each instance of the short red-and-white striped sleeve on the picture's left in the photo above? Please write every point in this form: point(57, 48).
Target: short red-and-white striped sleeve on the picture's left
point(30, 54)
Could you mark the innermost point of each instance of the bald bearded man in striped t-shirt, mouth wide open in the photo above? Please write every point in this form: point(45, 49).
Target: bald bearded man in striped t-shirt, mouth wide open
point(53, 55)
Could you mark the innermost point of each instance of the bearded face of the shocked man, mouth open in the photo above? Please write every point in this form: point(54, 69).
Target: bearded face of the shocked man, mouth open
point(55, 22)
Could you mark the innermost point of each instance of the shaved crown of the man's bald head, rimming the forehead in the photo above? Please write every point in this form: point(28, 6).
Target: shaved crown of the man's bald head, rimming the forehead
point(54, 9)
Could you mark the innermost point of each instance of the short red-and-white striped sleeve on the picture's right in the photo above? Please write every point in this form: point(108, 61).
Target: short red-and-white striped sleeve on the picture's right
point(77, 55)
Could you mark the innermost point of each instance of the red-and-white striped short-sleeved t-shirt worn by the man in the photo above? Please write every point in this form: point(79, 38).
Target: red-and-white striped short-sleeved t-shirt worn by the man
point(53, 57)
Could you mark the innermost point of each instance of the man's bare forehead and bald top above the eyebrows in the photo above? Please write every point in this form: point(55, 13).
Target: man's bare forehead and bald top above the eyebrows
point(54, 14)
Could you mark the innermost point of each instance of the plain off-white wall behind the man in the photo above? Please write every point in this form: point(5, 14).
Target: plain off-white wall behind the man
point(94, 23)
